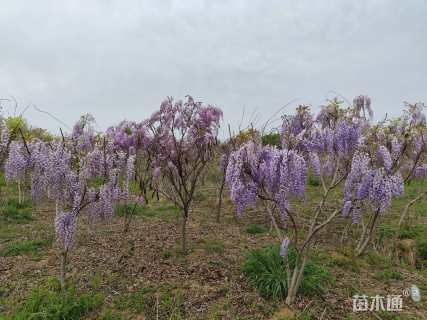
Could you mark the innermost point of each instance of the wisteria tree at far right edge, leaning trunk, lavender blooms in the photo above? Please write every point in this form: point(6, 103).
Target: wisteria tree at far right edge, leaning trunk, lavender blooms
point(392, 155)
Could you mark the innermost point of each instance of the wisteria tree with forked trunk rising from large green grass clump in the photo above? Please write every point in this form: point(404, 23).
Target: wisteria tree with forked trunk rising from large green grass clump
point(277, 177)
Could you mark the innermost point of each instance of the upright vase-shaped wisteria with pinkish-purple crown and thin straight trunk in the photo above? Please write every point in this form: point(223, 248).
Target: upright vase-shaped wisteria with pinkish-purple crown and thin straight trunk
point(182, 139)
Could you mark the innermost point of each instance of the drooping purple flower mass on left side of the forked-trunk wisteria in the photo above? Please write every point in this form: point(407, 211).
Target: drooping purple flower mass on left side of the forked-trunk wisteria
point(267, 172)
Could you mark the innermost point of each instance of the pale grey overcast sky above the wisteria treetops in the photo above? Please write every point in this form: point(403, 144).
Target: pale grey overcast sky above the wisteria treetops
point(119, 59)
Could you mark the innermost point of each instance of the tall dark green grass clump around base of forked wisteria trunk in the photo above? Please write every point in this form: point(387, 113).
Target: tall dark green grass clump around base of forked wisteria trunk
point(265, 270)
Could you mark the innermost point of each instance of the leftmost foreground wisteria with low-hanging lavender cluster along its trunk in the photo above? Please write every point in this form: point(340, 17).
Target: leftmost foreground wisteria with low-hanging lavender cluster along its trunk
point(77, 172)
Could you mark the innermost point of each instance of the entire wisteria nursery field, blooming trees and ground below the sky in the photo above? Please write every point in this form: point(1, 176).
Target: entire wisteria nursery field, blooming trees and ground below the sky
point(324, 217)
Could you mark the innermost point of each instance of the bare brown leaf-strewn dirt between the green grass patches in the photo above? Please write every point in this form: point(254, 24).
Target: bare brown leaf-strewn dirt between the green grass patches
point(209, 280)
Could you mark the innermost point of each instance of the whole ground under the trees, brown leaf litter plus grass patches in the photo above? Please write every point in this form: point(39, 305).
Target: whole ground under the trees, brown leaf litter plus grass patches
point(152, 280)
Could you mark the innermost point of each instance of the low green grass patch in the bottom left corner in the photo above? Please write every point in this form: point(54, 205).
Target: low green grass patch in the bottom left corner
point(51, 304)
